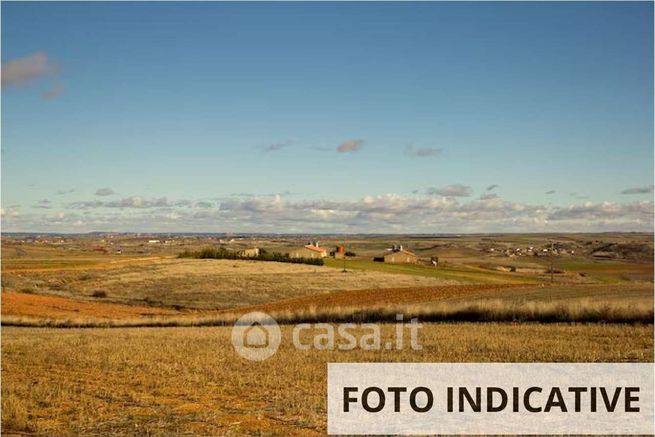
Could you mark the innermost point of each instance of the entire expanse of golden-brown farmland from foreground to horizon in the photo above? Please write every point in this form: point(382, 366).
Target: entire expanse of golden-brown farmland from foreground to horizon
point(167, 365)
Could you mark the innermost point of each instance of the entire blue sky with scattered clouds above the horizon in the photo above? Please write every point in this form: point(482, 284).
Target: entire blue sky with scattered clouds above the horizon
point(339, 117)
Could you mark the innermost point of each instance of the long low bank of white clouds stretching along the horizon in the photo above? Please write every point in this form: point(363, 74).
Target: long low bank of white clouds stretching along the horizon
point(390, 213)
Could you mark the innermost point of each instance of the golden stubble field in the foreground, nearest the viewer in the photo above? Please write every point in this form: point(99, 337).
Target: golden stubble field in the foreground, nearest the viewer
point(164, 381)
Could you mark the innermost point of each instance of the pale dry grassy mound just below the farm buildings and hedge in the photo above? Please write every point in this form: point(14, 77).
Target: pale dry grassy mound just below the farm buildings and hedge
point(201, 284)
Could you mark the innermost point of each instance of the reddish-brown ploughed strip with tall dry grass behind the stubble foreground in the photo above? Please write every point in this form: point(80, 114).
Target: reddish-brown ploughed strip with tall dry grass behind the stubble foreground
point(631, 303)
